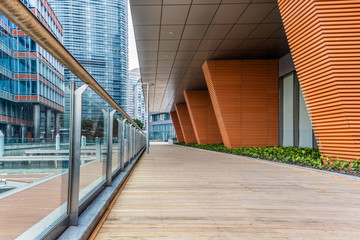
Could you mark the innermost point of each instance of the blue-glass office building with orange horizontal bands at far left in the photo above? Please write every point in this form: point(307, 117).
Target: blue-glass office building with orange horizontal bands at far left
point(32, 81)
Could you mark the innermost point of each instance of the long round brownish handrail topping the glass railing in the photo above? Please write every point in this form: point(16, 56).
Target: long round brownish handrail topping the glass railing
point(22, 17)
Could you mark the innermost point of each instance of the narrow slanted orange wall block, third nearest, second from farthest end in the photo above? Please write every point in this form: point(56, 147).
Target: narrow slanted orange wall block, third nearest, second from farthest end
point(185, 123)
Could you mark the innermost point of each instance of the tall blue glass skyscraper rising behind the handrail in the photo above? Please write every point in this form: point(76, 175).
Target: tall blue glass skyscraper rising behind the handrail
point(95, 33)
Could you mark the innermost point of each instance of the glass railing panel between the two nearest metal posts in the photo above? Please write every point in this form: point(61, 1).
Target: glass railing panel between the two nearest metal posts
point(94, 131)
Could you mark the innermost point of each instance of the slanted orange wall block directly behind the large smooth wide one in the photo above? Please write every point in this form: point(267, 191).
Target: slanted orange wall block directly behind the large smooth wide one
point(202, 117)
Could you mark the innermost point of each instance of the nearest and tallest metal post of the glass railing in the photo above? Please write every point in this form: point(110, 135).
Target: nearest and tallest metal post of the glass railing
point(75, 155)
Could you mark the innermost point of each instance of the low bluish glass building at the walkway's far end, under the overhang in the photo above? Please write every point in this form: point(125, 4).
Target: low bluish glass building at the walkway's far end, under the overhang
point(161, 127)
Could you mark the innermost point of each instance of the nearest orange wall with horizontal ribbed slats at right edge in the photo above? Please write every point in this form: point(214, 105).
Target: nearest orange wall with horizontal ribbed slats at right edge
point(324, 40)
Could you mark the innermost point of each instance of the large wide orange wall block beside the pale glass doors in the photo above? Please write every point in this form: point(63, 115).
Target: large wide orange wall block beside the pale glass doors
point(244, 94)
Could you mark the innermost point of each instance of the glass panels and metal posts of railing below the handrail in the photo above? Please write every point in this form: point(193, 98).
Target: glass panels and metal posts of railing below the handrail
point(60, 144)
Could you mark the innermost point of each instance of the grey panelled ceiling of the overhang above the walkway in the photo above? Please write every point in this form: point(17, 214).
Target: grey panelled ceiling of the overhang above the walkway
point(175, 37)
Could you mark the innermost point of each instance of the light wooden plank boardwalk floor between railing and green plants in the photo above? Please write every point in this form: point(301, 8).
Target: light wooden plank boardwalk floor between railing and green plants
point(183, 193)
